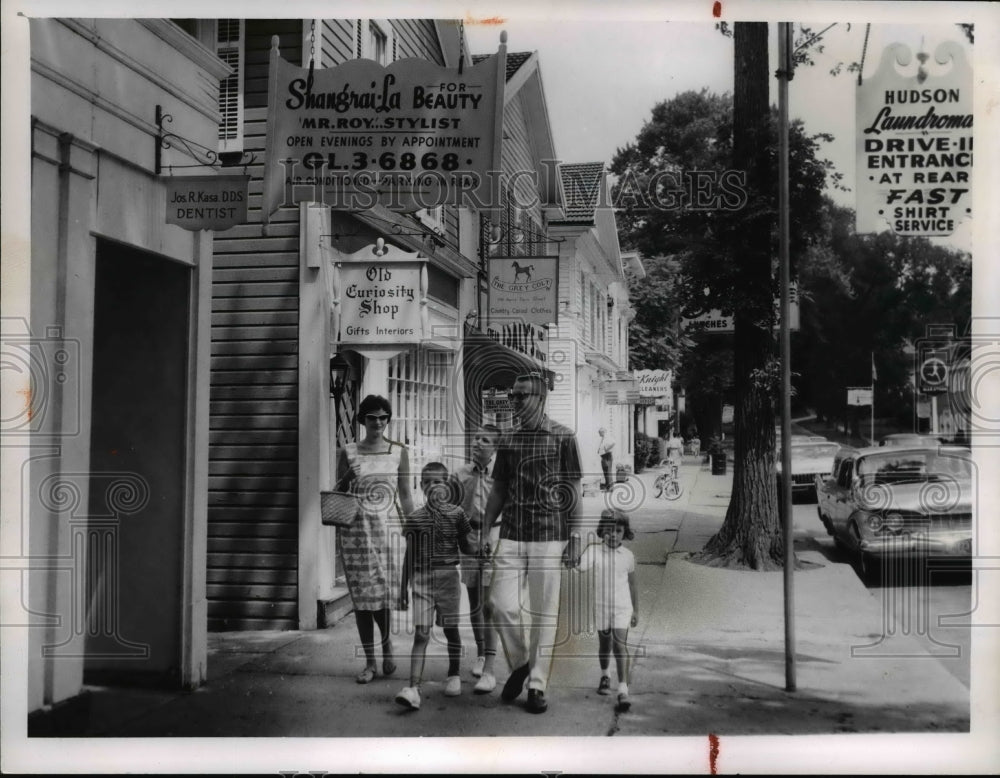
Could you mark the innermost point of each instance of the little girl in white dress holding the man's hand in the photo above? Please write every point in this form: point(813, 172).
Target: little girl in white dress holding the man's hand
point(616, 598)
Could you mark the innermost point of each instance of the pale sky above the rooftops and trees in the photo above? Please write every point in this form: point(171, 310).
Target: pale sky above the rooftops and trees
point(602, 77)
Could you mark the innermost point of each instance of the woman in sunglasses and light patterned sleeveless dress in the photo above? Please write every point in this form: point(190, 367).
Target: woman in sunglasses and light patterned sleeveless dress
point(377, 470)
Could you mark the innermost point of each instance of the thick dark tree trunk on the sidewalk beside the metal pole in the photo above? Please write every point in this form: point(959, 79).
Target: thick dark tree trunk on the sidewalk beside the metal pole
point(751, 535)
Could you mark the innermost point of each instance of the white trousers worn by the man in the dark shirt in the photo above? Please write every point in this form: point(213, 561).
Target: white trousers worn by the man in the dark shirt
point(525, 598)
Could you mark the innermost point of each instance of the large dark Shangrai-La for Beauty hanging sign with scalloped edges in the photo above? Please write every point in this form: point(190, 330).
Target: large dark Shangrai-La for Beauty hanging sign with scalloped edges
point(407, 136)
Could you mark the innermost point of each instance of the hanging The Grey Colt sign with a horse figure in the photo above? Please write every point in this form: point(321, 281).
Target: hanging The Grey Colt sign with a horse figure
point(524, 290)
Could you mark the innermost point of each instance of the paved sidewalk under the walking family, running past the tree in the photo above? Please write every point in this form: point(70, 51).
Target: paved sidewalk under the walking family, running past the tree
point(710, 659)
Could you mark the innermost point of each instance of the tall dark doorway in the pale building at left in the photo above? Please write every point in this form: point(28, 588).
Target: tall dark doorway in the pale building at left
point(138, 455)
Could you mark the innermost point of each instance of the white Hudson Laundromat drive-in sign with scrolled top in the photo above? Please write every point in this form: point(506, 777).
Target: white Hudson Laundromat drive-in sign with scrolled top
point(914, 144)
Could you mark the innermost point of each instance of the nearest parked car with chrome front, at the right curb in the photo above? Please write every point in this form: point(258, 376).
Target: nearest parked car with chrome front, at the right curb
point(899, 502)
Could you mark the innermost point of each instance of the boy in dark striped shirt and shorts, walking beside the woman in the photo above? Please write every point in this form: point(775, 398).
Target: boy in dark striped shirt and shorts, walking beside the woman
point(434, 533)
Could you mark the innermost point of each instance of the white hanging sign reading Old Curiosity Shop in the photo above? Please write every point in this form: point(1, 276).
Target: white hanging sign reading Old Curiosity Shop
point(380, 302)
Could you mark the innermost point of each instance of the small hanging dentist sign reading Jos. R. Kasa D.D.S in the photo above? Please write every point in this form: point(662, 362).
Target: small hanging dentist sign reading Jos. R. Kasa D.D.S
point(207, 202)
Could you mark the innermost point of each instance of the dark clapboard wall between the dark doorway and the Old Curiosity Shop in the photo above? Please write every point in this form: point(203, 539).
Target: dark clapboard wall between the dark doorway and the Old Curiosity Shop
point(253, 412)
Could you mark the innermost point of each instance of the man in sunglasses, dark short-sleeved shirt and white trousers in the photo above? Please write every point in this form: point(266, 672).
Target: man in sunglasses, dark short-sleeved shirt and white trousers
point(536, 490)
